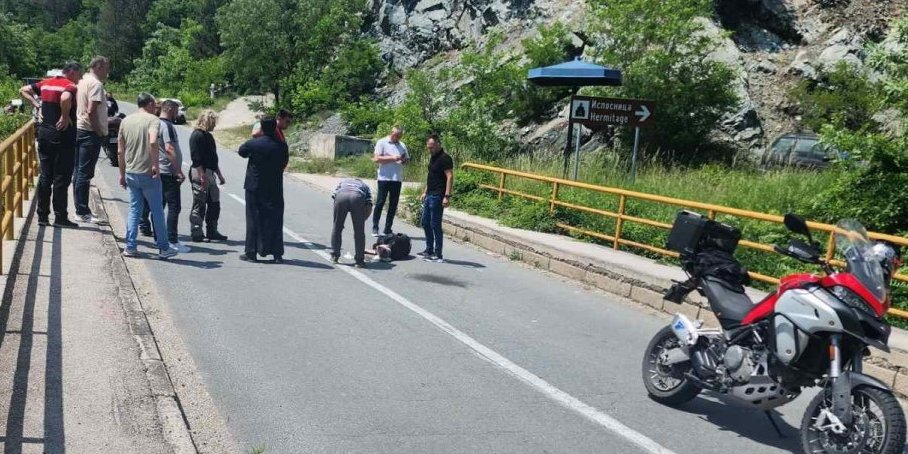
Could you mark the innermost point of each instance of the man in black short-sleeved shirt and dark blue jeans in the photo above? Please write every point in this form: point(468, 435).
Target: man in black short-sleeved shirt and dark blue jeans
point(435, 198)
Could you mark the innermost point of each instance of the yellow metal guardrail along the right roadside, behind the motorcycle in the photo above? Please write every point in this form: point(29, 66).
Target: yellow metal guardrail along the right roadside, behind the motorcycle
point(621, 217)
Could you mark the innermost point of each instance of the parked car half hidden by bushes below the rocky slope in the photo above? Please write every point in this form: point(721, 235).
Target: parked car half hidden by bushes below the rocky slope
point(800, 150)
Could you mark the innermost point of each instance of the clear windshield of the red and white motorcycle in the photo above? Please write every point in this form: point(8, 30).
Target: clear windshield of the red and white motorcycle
point(854, 244)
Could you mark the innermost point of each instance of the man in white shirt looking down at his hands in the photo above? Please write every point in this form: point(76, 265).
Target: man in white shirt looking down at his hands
point(390, 155)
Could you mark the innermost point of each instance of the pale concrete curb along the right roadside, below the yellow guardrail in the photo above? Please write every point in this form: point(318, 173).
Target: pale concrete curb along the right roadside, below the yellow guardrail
point(629, 283)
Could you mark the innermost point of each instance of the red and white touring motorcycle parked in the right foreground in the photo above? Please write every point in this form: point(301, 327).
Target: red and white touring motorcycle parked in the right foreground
point(813, 331)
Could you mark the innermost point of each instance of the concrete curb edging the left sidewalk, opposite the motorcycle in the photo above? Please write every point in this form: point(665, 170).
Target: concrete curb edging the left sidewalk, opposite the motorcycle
point(173, 419)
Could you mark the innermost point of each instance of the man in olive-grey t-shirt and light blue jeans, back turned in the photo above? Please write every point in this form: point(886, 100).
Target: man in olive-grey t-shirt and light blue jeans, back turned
point(138, 153)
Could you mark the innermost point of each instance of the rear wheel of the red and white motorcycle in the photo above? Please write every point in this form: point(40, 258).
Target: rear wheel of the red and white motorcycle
point(666, 384)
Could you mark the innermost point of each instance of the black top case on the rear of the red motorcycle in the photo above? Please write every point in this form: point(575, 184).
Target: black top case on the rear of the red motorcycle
point(693, 232)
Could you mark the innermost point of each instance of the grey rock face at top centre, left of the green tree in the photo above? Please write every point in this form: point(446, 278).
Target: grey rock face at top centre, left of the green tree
point(412, 31)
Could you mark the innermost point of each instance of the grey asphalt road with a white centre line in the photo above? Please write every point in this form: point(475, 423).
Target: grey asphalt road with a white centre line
point(475, 355)
